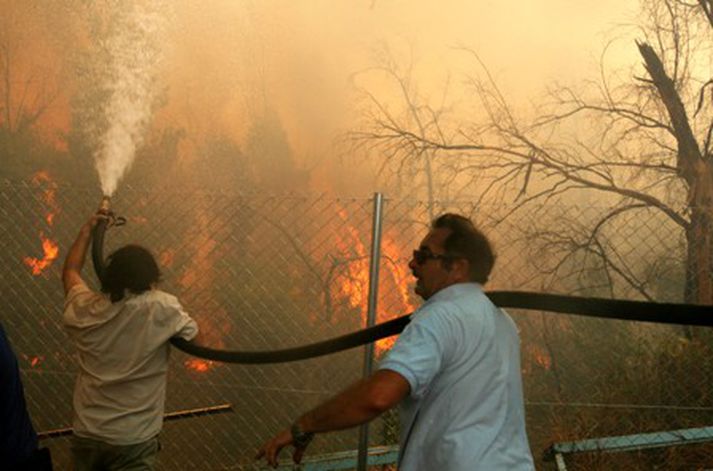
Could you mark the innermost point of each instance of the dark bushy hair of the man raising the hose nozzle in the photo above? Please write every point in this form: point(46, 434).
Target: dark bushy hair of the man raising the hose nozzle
point(131, 268)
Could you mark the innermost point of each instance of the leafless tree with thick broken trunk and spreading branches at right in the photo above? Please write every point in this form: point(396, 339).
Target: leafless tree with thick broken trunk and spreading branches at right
point(640, 143)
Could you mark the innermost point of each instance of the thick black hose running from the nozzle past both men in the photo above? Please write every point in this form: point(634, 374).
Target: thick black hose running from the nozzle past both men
point(642, 311)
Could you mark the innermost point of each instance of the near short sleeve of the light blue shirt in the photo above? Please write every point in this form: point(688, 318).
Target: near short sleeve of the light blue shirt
point(418, 354)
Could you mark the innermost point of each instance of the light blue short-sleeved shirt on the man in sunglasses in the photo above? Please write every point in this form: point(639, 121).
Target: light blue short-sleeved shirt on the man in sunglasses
point(461, 356)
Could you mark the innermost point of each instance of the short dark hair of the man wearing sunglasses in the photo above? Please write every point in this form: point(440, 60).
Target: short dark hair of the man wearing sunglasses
point(466, 241)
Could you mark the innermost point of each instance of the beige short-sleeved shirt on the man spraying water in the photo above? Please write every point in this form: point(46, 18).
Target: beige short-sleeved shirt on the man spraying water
point(122, 351)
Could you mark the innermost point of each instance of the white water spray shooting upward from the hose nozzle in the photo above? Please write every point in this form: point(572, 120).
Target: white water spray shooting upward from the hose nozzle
point(121, 66)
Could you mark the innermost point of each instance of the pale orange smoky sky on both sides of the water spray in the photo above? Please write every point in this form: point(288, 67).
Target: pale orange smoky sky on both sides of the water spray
point(227, 62)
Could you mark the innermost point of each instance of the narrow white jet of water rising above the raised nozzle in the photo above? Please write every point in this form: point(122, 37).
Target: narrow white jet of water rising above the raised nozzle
point(132, 45)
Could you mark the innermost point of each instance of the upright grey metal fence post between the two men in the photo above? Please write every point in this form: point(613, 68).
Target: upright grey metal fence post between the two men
point(371, 316)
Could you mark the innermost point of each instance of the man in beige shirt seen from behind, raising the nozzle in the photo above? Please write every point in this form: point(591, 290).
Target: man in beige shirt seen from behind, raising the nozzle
point(122, 339)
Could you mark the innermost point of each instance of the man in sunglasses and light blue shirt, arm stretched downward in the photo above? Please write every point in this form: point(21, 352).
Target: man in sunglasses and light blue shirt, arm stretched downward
point(455, 370)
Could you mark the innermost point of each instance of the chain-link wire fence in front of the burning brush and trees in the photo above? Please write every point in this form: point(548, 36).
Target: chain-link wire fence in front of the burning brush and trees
point(266, 272)
